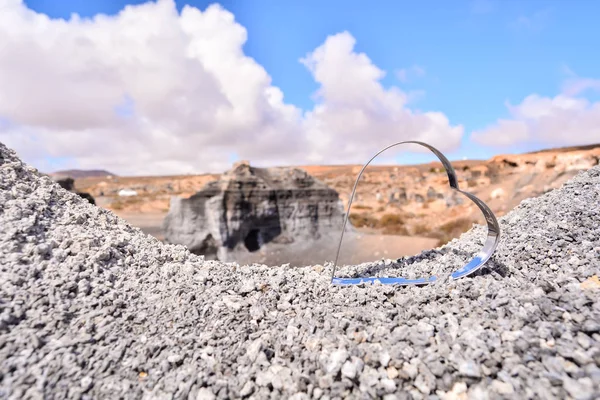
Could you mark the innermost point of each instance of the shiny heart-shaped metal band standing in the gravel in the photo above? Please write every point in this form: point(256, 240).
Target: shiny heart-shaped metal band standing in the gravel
point(476, 263)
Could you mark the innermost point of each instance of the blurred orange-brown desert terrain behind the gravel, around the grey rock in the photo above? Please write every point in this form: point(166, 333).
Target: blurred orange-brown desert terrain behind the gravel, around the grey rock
point(397, 211)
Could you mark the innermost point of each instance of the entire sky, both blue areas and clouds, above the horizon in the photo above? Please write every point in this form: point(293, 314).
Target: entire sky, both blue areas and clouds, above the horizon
point(171, 87)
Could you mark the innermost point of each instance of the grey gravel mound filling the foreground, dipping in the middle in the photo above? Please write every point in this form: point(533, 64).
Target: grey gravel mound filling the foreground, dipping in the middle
point(90, 307)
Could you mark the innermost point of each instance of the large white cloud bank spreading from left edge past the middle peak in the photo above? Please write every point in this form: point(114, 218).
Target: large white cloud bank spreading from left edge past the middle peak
point(152, 90)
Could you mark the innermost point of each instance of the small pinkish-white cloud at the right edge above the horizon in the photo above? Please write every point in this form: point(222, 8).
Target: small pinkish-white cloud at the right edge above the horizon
point(560, 121)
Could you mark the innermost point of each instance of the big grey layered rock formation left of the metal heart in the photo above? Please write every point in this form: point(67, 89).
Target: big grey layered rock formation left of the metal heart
point(248, 208)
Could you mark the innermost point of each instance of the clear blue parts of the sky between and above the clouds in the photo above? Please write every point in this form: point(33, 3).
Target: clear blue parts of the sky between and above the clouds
point(466, 59)
